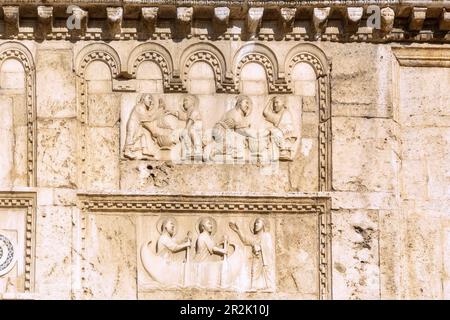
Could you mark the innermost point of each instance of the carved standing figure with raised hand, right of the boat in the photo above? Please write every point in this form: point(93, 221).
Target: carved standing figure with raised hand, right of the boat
point(262, 269)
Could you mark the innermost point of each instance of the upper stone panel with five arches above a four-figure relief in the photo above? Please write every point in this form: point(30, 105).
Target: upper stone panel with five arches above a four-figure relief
point(201, 117)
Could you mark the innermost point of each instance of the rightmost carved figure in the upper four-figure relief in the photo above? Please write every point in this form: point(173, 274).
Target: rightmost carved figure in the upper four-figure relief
point(282, 133)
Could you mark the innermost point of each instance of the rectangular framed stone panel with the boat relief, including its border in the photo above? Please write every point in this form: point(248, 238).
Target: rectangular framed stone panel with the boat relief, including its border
point(205, 247)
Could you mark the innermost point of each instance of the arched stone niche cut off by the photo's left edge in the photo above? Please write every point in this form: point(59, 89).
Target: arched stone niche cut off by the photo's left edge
point(18, 112)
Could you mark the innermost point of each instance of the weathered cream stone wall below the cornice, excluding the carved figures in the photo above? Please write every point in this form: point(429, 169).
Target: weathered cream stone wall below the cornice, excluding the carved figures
point(360, 212)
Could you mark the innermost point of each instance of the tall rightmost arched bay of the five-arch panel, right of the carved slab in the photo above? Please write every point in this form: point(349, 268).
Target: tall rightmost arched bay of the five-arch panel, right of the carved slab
point(307, 73)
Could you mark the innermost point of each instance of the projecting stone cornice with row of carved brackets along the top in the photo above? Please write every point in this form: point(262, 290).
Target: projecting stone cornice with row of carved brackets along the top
point(342, 21)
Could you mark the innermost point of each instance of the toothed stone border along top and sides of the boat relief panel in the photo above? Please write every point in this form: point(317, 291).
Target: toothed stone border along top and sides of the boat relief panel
point(103, 203)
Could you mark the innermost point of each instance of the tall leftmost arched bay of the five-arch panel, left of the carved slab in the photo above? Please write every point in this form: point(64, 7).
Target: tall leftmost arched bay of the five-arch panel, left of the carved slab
point(97, 65)
